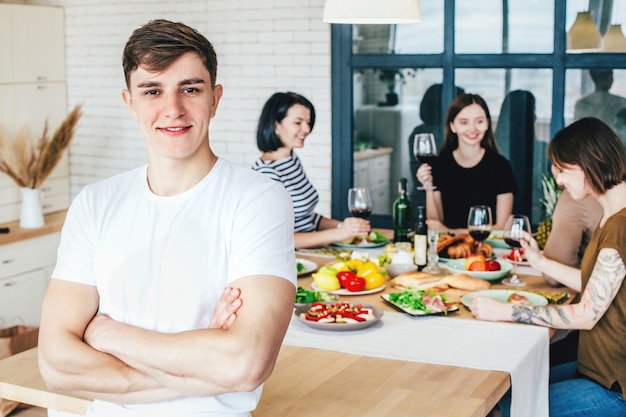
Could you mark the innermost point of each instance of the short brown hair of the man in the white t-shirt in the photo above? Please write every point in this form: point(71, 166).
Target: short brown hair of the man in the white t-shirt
point(158, 43)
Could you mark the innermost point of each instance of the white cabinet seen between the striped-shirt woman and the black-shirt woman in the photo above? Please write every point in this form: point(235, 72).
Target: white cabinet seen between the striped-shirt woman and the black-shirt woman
point(371, 170)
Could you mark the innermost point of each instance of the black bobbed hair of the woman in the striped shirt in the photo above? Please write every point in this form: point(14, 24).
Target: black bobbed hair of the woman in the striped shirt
point(274, 111)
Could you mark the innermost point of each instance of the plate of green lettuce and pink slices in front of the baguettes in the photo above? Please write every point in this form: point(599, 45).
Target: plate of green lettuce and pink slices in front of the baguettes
point(419, 302)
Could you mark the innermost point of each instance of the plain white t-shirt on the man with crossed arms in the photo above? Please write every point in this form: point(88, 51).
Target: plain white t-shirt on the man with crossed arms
point(161, 263)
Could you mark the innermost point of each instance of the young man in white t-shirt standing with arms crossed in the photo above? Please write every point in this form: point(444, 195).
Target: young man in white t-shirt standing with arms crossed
point(175, 281)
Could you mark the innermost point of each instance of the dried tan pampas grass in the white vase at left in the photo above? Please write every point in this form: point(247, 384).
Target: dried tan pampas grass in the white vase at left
point(29, 164)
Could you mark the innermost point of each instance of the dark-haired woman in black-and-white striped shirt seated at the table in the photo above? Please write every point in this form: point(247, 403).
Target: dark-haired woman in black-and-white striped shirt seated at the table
point(286, 120)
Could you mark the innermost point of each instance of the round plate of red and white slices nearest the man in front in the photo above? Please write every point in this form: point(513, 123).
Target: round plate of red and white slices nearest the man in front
point(338, 316)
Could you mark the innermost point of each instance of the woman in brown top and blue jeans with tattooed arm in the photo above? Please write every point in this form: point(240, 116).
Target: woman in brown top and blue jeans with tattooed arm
point(589, 159)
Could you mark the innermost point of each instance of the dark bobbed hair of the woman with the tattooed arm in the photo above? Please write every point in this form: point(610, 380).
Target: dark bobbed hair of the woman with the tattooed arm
point(595, 148)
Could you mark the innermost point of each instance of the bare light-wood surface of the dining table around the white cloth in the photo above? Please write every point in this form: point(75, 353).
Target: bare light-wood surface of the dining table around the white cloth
point(312, 382)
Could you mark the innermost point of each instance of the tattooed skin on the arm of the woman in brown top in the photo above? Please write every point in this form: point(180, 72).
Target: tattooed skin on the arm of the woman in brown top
point(606, 279)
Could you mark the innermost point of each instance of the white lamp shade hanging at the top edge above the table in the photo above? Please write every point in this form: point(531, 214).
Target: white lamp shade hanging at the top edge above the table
point(372, 11)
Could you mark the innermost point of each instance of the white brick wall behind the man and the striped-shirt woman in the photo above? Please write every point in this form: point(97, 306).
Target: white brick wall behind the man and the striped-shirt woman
point(263, 46)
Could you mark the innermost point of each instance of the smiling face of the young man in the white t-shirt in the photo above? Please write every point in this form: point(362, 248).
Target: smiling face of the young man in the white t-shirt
point(174, 107)
